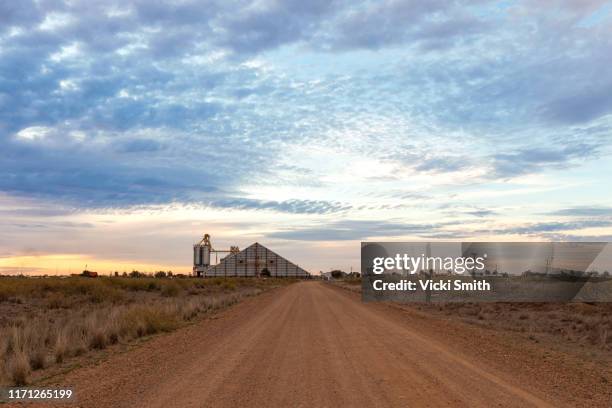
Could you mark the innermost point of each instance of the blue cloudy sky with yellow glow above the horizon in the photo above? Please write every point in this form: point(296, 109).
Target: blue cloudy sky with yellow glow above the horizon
point(128, 129)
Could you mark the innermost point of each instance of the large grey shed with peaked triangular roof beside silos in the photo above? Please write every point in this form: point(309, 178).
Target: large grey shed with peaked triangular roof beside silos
point(256, 260)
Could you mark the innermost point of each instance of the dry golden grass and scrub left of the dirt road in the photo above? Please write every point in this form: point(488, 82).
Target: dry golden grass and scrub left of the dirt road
point(47, 322)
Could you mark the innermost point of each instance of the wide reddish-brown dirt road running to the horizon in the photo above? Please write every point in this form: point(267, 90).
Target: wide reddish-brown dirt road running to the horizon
point(307, 344)
